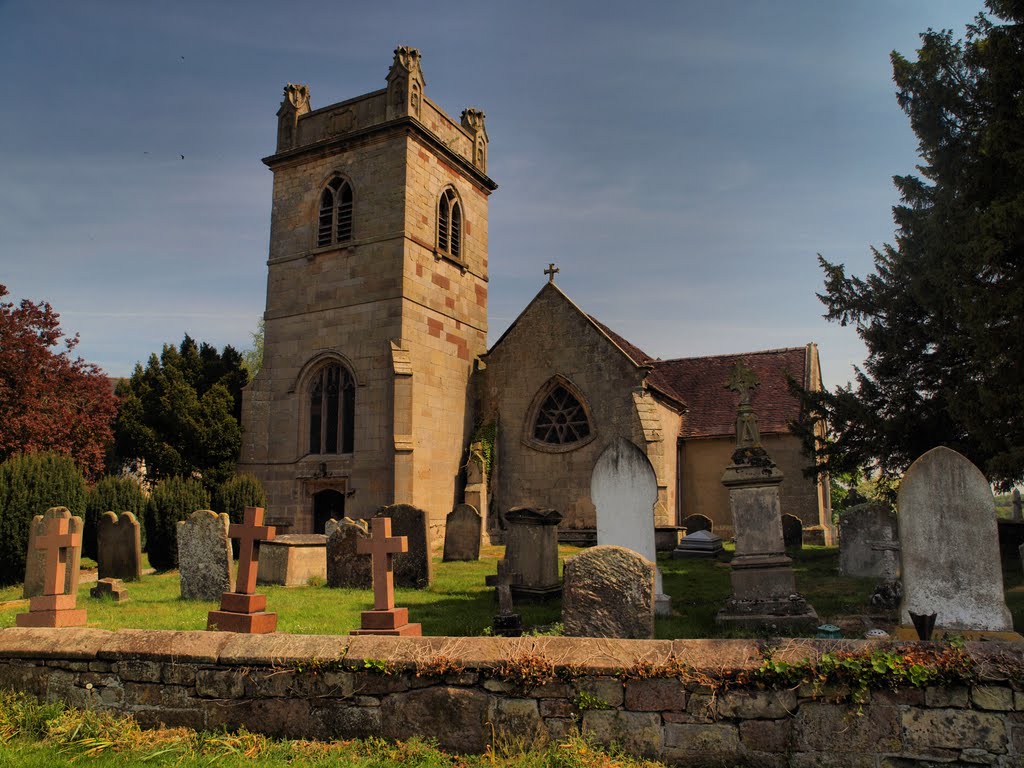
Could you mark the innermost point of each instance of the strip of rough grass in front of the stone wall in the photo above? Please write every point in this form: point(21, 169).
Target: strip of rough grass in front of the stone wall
point(42, 736)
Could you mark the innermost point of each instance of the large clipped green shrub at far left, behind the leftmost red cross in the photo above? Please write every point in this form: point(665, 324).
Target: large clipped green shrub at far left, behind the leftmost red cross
point(31, 484)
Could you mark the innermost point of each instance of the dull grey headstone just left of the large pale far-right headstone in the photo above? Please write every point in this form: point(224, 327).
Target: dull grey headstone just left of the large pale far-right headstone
point(869, 543)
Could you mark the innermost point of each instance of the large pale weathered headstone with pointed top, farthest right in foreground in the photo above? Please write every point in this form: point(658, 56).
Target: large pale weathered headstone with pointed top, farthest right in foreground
point(951, 554)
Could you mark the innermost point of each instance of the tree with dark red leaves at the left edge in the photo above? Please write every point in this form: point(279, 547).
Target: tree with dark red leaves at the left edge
point(49, 400)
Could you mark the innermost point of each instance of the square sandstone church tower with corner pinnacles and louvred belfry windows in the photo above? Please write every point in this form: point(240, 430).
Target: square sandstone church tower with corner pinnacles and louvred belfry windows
point(376, 305)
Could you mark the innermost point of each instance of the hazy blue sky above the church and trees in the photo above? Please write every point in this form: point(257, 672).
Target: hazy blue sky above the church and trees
point(682, 162)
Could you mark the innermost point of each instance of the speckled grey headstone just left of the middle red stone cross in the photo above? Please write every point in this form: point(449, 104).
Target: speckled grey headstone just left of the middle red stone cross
point(205, 557)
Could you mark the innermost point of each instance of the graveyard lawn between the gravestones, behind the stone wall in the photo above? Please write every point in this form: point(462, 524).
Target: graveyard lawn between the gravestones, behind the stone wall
point(459, 604)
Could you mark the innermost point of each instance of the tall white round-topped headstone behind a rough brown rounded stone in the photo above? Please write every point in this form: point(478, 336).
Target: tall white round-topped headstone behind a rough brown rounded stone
point(624, 489)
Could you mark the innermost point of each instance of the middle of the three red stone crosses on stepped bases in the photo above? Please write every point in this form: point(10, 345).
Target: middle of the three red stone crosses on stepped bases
point(244, 611)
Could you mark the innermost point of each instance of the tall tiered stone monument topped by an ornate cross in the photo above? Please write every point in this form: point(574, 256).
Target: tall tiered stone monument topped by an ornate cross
point(764, 588)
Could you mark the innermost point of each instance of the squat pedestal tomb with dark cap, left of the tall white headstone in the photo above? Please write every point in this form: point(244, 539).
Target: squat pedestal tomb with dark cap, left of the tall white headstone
point(532, 549)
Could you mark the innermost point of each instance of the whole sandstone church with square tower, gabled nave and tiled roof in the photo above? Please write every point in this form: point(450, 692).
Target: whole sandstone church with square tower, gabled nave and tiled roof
point(376, 372)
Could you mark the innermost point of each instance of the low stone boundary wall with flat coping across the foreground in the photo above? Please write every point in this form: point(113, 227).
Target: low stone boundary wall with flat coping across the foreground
point(468, 693)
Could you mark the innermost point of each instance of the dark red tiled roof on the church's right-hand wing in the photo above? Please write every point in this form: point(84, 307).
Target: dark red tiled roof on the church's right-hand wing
point(701, 381)
